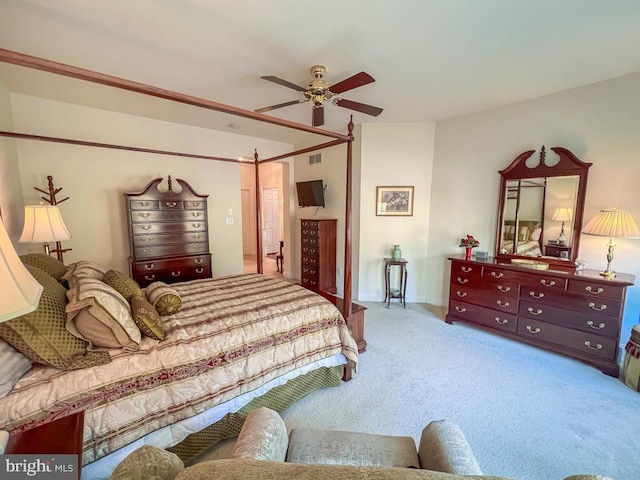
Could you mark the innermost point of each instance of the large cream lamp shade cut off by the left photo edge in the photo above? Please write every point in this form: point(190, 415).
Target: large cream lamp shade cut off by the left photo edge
point(20, 292)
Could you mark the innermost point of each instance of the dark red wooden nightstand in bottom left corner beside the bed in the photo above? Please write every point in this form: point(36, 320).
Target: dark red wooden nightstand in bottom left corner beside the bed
point(62, 436)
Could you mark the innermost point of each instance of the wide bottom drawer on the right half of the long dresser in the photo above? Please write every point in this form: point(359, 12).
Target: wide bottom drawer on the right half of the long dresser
point(574, 339)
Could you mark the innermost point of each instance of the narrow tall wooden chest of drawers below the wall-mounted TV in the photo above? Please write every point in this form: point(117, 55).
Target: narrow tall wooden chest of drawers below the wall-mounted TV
point(318, 262)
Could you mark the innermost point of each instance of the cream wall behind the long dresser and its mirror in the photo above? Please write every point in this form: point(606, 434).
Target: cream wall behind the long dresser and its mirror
point(599, 123)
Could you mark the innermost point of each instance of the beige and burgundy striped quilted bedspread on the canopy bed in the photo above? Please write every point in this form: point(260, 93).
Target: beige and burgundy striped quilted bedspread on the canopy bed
point(232, 335)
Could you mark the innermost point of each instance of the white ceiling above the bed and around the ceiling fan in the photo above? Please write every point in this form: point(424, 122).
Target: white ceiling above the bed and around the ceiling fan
point(432, 59)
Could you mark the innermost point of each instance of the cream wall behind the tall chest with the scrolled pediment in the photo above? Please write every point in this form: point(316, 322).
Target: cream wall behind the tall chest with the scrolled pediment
point(96, 178)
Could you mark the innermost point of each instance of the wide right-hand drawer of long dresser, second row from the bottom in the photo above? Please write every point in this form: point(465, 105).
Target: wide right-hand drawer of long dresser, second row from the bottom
point(596, 324)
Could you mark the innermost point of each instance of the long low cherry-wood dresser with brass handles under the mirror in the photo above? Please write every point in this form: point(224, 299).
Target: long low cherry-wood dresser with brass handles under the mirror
point(576, 314)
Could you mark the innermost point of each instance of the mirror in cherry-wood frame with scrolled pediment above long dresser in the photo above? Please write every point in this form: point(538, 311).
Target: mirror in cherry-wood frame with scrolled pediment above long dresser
point(541, 207)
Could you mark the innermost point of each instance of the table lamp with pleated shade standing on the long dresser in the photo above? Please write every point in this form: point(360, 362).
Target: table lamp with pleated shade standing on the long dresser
point(612, 223)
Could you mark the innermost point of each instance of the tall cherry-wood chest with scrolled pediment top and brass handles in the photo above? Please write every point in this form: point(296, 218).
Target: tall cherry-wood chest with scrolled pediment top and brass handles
point(168, 234)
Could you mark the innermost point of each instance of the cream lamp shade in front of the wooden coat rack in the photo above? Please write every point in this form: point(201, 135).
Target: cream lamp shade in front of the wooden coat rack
point(43, 224)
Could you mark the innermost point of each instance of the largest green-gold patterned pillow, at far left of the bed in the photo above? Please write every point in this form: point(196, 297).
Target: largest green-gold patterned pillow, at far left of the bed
point(42, 336)
